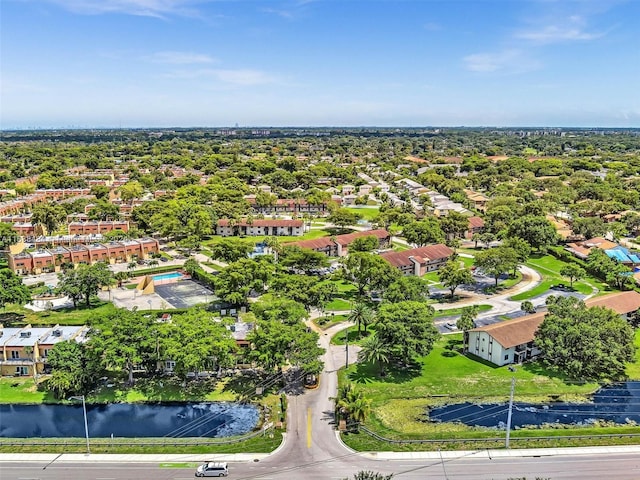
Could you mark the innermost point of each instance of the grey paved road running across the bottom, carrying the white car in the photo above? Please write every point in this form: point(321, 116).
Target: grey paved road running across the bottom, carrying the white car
point(472, 466)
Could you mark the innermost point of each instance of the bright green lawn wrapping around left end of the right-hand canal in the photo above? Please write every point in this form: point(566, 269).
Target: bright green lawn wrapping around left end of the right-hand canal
point(401, 398)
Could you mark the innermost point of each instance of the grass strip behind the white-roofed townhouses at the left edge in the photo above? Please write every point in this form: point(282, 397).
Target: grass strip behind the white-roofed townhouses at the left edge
point(16, 315)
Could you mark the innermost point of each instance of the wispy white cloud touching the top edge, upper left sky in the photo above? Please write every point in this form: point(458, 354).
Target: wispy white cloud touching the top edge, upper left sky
point(149, 8)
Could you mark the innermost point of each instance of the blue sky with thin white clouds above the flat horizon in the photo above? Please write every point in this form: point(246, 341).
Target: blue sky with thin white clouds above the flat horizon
point(163, 63)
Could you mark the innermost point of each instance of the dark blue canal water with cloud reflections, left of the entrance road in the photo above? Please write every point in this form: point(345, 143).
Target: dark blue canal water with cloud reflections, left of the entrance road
point(128, 420)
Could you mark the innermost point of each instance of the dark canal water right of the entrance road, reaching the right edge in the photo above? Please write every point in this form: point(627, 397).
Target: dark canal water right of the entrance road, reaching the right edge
point(618, 403)
